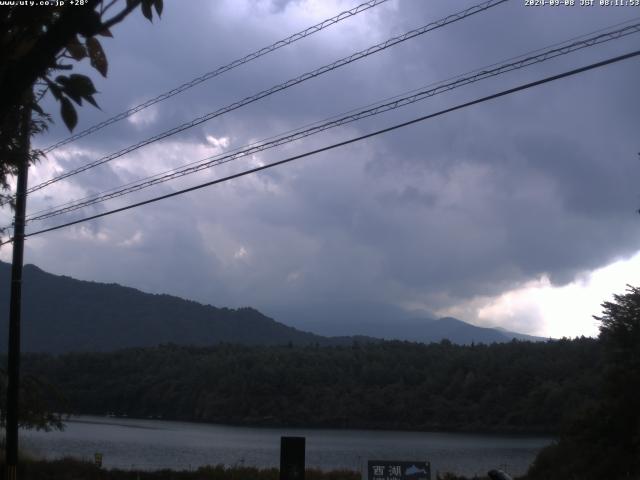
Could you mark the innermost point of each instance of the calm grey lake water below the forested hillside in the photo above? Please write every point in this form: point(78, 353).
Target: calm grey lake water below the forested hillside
point(154, 444)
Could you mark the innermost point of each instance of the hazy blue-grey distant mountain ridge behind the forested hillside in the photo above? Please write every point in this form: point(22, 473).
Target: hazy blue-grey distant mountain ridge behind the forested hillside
point(62, 314)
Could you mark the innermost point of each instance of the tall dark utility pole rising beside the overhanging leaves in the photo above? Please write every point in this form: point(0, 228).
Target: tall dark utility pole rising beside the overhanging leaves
point(13, 368)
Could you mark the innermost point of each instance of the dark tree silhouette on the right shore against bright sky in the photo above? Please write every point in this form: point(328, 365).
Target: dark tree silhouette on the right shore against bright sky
point(603, 440)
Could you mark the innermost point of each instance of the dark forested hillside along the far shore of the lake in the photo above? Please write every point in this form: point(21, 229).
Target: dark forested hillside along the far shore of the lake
point(517, 386)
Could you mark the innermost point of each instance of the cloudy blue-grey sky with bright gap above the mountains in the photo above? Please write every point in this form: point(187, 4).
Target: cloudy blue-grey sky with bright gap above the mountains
point(519, 213)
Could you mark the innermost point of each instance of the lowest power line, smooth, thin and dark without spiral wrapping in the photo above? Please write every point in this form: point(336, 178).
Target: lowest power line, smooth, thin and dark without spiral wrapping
point(343, 143)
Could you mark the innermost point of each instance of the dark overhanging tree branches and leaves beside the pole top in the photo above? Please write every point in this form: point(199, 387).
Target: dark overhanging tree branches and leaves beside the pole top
point(39, 42)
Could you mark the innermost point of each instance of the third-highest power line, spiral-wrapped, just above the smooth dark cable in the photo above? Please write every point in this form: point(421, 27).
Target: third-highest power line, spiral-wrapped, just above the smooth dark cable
point(416, 95)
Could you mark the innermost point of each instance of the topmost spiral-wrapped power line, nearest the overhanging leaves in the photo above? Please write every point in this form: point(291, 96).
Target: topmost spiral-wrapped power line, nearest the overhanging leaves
point(219, 71)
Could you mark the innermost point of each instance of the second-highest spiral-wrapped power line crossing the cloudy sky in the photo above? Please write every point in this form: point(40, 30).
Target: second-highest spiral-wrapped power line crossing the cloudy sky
point(294, 81)
